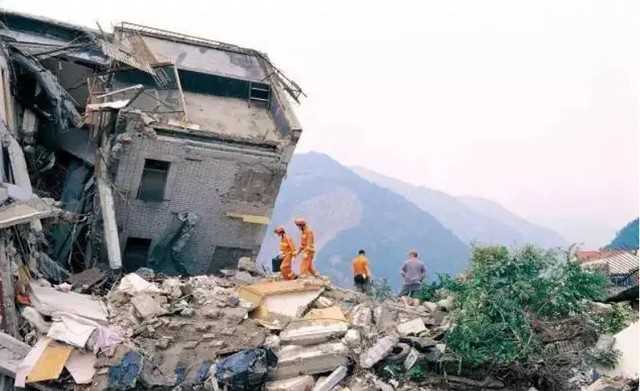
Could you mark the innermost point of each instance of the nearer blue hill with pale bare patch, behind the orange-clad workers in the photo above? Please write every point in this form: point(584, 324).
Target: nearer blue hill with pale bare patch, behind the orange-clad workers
point(348, 213)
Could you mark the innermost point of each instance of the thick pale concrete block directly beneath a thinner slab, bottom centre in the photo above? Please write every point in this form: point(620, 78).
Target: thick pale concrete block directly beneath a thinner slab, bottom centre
point(310, 360)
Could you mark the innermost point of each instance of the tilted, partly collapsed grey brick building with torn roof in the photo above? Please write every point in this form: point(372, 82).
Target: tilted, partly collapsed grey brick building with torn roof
point(195, 136)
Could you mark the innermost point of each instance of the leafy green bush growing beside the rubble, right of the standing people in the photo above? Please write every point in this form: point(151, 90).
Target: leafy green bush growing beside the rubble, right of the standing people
point(504, 293)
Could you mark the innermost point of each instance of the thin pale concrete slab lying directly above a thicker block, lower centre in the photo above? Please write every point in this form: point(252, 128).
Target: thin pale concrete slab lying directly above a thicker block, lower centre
point(312, 332)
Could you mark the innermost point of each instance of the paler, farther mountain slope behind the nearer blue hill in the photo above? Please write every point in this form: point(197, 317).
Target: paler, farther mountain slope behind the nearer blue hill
point(474, 220)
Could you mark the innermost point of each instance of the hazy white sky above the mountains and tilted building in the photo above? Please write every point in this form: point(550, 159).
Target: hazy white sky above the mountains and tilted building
point(533, 104)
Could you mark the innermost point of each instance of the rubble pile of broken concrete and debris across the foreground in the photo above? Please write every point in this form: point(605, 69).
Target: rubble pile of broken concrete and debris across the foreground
point(225, 332)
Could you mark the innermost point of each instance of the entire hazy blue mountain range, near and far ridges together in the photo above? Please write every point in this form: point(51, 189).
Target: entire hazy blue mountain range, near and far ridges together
point(354, 208)
